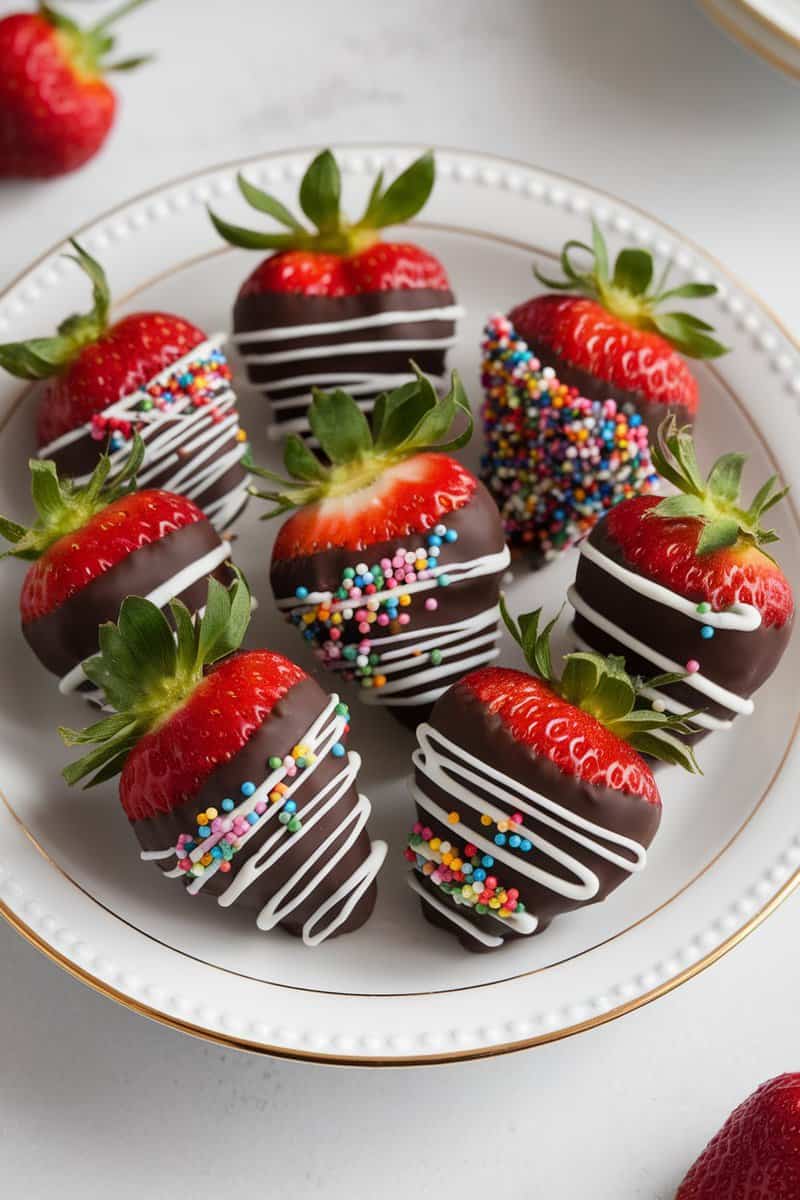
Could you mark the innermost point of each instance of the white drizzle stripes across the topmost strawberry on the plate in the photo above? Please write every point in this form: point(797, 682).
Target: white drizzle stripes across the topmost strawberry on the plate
point(357, 383)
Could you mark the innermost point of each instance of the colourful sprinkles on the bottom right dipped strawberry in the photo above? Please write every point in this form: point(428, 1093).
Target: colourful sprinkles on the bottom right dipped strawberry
point(465, 874)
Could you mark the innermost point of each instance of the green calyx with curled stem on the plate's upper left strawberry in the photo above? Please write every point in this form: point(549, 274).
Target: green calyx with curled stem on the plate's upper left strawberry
point(40, 358)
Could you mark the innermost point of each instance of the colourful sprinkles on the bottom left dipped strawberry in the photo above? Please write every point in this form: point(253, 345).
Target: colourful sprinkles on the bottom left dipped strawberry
point(219, 835)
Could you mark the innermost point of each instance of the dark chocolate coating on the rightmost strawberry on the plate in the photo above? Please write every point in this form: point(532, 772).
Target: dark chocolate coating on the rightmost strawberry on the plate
point(737, 661)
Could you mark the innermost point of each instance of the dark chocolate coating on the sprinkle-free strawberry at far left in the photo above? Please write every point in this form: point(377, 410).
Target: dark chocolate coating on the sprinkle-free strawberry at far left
point(67, 637)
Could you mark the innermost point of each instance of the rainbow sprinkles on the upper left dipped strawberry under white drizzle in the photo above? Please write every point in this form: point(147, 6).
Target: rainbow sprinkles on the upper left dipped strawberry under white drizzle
point(201, 381)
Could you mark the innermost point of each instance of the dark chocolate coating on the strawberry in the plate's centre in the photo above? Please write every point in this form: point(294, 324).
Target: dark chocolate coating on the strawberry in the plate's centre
point(480, 532)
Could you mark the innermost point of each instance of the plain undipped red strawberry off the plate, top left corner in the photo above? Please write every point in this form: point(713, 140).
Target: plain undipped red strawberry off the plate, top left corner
point(56, 106)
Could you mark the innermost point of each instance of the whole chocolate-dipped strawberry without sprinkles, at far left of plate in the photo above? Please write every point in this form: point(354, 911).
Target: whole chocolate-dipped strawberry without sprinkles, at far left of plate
point(92, 547)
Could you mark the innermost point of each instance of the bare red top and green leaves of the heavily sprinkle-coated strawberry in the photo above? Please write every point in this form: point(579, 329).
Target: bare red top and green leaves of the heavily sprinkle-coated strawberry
point(609, 339)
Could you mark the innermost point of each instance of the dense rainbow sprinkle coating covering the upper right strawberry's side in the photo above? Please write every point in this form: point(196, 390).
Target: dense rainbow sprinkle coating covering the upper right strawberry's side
point(556, 461)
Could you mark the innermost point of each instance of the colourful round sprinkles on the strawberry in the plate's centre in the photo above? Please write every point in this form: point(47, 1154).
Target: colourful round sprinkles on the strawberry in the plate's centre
point(374, 602)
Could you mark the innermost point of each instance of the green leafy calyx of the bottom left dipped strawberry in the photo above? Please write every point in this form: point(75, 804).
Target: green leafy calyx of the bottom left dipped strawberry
point(148, 670)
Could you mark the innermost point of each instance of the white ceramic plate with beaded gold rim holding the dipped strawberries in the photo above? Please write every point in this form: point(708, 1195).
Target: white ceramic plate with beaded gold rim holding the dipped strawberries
point(399, 991)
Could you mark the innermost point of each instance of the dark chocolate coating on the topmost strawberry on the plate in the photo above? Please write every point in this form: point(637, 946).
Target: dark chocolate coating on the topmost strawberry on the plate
point(274, 310)
